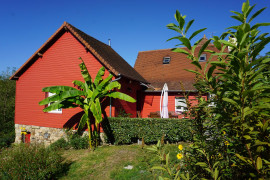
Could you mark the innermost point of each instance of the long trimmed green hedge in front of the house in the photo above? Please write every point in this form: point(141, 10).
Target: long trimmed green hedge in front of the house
point(128, 130)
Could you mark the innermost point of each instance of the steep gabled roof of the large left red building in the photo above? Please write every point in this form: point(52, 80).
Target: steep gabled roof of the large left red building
point(104, 53)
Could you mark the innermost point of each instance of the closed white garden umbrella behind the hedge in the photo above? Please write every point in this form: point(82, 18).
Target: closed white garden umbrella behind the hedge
point(164, 102)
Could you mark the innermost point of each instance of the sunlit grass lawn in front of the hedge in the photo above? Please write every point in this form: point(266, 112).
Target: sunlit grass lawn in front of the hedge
point(108, 162)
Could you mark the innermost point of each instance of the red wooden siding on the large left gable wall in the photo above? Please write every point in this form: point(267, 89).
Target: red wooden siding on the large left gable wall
point(58, 66)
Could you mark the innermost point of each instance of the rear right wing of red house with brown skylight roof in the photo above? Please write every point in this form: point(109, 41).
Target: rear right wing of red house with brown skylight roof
point(164, 66)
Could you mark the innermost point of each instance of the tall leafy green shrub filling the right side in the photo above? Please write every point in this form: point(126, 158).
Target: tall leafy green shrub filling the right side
point(237, 127)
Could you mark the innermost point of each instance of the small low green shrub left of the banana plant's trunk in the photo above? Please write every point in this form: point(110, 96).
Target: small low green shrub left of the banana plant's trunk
point(78, 142)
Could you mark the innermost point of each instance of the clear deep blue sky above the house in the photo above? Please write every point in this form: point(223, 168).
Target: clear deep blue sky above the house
point(132, 25)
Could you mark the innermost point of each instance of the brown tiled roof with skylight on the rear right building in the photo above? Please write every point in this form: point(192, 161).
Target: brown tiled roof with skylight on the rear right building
point(150, 65)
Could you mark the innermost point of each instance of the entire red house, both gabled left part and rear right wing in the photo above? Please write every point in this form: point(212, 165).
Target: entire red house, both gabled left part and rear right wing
point(56, 63)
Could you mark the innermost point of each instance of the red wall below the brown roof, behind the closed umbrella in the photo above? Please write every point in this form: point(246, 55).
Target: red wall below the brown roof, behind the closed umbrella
point(151, 102)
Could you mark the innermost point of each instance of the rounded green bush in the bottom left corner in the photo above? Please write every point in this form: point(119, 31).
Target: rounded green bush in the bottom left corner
point(30, 162)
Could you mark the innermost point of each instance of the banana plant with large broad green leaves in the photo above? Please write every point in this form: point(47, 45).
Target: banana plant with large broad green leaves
point(88, 96)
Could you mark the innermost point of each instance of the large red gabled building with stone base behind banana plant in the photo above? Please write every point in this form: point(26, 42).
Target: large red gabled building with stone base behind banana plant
point(56, 63)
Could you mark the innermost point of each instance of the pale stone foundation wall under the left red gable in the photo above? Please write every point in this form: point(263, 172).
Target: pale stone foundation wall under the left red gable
point(46, 135)
